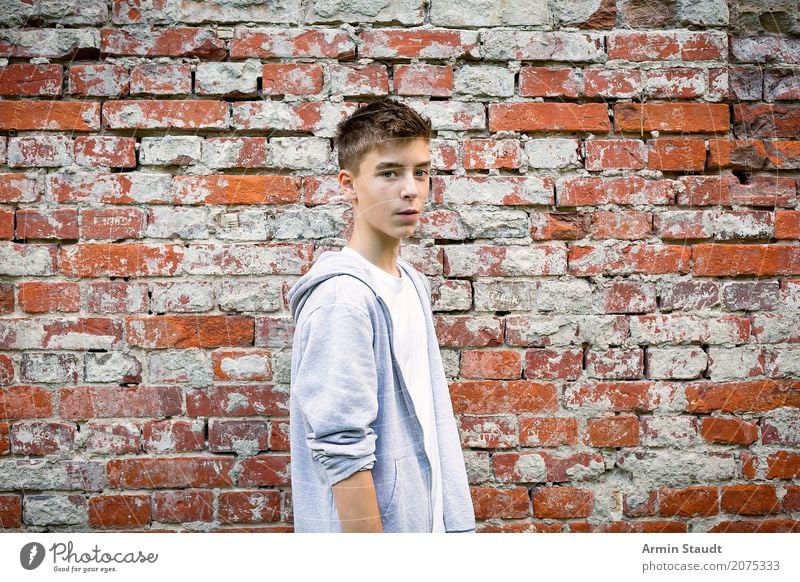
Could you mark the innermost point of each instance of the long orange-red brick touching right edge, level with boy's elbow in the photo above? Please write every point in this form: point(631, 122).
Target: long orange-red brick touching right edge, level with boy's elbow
point(737, 397)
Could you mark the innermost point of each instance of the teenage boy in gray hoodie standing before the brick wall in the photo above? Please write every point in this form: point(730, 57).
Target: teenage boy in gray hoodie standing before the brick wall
point(374, 444)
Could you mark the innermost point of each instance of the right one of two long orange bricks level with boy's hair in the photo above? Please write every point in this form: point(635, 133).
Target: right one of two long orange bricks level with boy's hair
point(672, 117)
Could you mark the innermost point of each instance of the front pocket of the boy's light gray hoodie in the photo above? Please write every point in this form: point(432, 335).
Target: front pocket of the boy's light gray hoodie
point(408, 509)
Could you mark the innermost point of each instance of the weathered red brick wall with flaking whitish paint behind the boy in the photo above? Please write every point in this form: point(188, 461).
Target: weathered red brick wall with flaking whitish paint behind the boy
point(612, 241)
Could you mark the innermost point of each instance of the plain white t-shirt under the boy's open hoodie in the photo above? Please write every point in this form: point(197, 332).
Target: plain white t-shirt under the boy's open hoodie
point(410, 344)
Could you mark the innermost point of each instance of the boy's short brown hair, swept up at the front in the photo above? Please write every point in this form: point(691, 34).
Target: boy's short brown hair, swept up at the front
point(373, 124)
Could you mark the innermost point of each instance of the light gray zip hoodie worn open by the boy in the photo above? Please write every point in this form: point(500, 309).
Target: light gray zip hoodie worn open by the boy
point(350, 408)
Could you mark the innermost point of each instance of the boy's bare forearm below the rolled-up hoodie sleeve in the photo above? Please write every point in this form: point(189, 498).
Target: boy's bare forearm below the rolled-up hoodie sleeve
point(357, 504)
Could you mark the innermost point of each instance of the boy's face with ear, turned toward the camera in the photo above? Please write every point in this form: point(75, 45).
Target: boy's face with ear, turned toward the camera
point(389, 181)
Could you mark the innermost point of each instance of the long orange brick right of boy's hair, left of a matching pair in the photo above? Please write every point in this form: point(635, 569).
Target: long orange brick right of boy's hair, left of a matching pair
point(568, 117)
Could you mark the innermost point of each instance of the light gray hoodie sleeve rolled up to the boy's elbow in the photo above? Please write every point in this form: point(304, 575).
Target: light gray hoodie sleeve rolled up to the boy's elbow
point(336, 388)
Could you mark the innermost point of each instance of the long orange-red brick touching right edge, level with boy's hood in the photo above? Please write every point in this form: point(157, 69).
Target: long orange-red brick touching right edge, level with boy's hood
point(722, 260)
